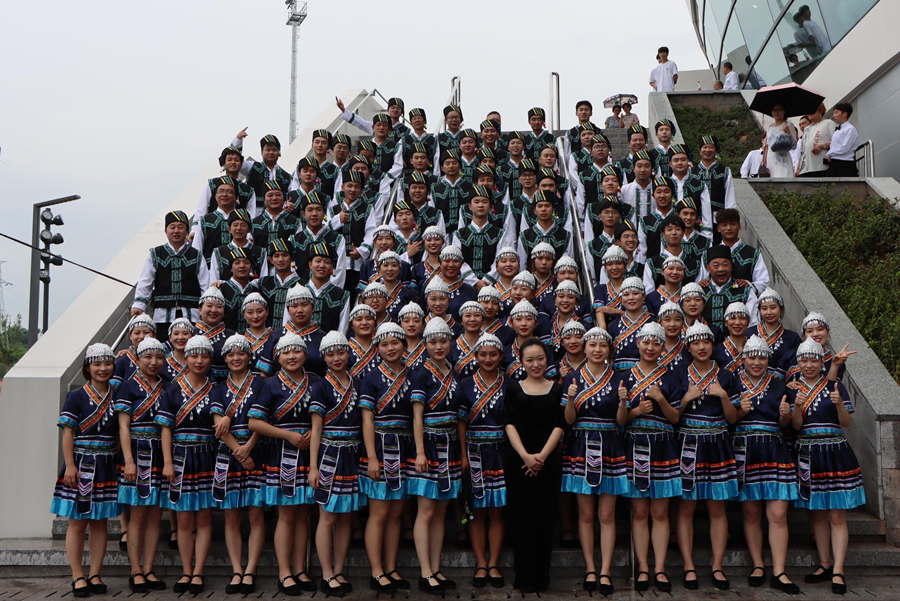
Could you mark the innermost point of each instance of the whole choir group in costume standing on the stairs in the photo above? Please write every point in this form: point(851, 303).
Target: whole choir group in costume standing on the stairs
point(316, 348)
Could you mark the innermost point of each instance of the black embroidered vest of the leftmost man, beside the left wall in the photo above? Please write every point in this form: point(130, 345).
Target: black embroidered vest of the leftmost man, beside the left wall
point(177, 283)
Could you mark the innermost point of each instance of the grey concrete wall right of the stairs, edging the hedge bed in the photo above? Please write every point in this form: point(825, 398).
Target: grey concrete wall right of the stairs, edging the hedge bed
point(875, 431)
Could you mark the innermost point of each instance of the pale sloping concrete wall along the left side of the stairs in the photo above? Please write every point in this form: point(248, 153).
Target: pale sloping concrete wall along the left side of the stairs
point(34, 389)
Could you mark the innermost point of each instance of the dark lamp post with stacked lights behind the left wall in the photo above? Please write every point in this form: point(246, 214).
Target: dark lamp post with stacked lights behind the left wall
point(43, 214)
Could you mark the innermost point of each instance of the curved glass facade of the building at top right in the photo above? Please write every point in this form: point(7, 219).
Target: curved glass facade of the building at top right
point(771, 42)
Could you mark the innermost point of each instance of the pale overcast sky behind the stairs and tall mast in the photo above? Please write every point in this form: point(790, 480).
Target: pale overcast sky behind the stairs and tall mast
point(123, 103)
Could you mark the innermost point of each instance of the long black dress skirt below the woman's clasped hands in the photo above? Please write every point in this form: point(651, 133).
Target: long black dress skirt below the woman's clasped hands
point(531, 505)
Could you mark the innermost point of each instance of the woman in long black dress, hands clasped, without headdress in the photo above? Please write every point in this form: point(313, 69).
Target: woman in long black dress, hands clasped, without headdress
point(535, 421)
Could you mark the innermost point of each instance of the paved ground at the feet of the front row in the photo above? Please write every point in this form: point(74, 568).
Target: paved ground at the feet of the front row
point(862, 587)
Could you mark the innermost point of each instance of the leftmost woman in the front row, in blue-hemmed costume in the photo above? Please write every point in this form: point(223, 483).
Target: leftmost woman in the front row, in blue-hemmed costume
point(86, 491)
